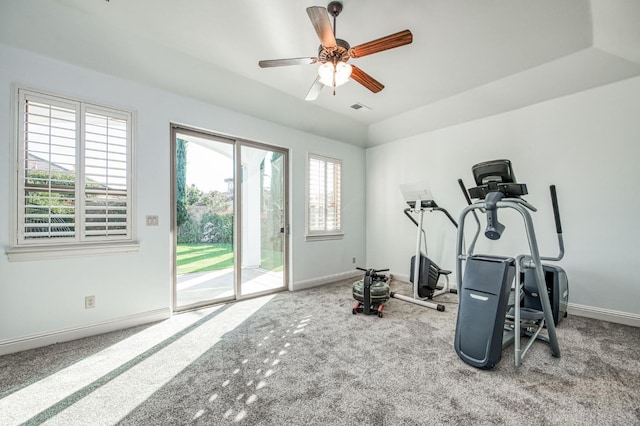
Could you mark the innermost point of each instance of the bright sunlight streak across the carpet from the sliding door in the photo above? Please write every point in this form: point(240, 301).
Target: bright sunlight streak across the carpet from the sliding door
point(150, 359)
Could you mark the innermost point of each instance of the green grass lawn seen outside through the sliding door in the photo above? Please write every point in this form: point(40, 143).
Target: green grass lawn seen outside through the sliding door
point(191, 258)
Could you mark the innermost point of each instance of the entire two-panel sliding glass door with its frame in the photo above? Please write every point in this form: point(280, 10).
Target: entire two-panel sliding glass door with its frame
point(230, 238)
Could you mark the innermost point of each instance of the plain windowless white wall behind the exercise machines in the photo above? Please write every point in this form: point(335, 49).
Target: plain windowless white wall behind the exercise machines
point(588, 144)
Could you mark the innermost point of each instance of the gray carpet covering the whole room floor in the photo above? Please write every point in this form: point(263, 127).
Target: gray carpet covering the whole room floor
point(303, 358)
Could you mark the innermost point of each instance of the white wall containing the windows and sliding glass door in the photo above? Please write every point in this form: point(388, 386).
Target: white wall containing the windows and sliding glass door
point(44, 297)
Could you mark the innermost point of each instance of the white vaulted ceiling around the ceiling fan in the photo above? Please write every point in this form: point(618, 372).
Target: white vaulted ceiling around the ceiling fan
point(469, 58)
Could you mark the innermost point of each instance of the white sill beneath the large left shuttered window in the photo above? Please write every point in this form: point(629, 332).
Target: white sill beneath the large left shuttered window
point(20, 254)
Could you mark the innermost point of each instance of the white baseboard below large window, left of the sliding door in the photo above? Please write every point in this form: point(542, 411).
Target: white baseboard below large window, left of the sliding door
point(45, 339)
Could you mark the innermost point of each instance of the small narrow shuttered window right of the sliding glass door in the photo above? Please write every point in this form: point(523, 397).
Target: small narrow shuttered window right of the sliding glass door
point(324, 196)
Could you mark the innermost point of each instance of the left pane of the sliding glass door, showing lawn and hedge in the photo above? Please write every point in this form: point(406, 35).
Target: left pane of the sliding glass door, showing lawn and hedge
point(205, 215)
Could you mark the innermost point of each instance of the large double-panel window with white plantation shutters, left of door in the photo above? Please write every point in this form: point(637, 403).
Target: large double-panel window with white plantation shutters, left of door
point(74, 171)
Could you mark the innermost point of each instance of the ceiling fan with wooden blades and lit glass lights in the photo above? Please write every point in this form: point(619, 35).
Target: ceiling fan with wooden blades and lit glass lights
point(334, 53)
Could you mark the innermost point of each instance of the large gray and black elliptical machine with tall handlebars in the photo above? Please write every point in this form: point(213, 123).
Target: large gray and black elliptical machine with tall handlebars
point(490, 315)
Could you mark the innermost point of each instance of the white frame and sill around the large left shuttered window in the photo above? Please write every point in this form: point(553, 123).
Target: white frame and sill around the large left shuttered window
point(22, 249)
